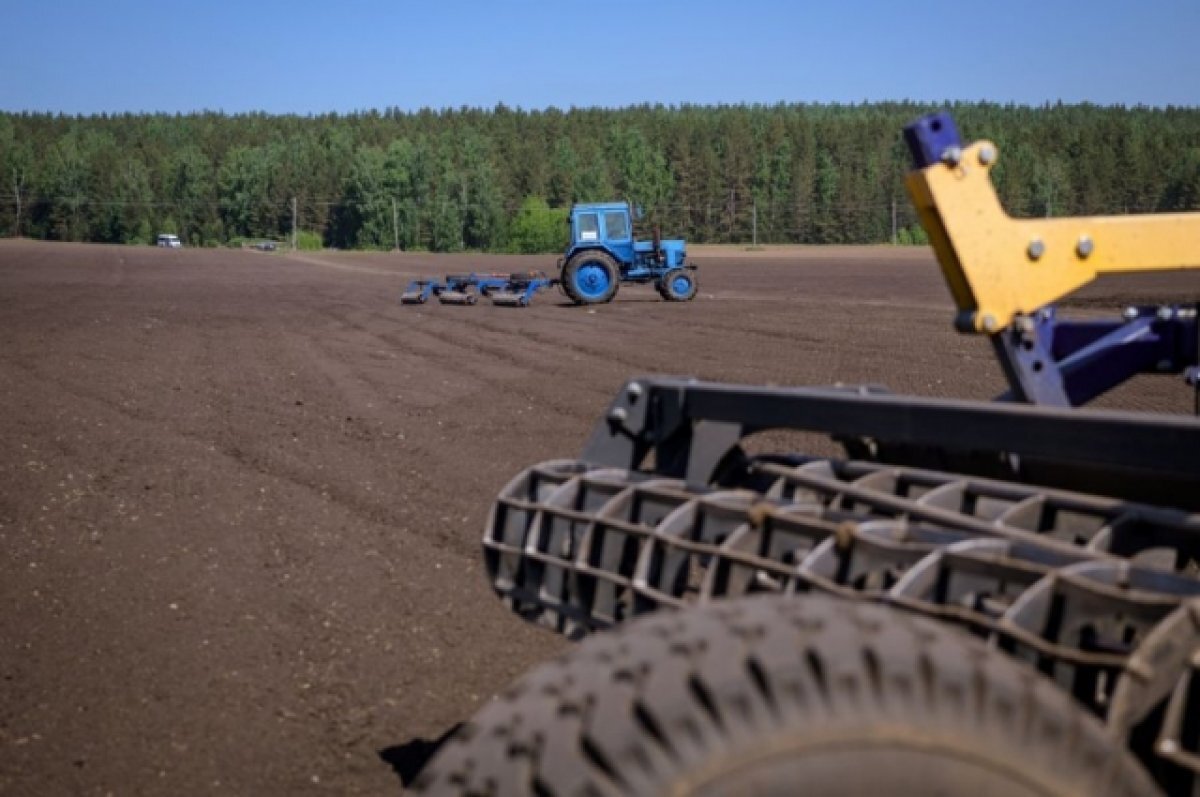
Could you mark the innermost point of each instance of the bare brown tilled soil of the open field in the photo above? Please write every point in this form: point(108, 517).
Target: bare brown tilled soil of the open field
point(242, 493)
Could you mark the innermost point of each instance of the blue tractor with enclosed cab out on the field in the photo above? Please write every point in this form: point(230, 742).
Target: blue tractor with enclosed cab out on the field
point(604, 254)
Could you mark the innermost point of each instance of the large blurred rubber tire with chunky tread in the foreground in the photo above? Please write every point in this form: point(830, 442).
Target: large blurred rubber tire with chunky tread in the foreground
point(784, 696)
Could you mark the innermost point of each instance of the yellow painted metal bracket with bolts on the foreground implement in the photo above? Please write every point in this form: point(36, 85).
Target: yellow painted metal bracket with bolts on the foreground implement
point(999, 267)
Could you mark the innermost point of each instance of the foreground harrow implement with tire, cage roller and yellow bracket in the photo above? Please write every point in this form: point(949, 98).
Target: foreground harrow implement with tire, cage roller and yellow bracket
point(975, 600)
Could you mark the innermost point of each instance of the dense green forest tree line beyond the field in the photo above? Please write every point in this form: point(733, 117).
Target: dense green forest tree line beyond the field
point(482, 179)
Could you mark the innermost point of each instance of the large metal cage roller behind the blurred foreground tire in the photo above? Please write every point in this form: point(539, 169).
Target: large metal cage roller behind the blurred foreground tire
point(1077, 589)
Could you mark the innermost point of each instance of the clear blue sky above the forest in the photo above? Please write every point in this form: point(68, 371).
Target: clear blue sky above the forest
point(298, 57)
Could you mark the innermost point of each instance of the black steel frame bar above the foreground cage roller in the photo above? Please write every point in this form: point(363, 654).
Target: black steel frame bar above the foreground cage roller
point(692, 428)
